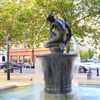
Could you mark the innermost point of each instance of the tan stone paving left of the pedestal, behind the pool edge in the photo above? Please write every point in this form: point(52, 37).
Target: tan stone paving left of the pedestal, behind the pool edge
point(19, 79)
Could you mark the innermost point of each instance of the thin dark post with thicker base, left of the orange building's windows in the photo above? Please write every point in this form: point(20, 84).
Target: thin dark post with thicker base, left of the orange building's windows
point(8, 69)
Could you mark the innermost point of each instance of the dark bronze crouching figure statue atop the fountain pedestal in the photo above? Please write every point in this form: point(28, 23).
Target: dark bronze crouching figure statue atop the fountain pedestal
point(58, 34)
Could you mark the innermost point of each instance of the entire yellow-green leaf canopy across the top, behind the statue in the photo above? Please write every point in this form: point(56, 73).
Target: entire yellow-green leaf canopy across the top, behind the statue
point(22, 19)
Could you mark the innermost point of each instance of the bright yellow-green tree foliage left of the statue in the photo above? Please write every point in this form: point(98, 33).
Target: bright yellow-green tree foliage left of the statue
point(21, 21)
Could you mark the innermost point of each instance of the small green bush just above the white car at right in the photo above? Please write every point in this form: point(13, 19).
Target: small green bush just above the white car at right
point(86, 54)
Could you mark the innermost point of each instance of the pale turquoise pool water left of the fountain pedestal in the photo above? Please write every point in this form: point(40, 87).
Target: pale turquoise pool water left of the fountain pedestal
point(25, 93)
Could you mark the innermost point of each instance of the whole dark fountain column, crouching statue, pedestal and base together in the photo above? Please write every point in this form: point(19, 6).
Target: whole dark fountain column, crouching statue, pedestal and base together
point(57, 66)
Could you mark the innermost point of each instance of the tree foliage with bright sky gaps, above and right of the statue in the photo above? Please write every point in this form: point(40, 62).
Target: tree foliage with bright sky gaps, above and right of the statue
point(82, 16)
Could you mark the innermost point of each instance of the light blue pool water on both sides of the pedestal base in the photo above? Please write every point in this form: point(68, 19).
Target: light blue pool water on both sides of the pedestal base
point(35, 92)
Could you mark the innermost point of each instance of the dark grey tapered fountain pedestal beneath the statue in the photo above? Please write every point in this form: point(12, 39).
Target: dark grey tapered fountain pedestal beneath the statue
point(57, 70)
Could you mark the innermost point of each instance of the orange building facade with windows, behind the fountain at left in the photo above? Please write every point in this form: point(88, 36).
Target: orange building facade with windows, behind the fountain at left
point(25, 55)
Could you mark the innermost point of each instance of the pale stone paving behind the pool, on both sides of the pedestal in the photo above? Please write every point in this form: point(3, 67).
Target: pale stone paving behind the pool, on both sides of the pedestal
point(20, 79)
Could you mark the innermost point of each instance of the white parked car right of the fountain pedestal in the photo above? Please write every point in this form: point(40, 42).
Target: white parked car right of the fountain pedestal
point(84, 67)
